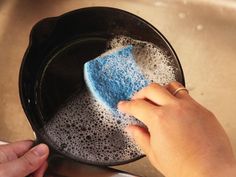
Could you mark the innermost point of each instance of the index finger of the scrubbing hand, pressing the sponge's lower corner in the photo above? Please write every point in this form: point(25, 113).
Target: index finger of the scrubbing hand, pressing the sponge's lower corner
point(141, 109)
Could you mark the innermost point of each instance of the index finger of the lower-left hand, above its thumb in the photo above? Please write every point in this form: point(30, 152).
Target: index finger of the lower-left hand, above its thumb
point(12, 151)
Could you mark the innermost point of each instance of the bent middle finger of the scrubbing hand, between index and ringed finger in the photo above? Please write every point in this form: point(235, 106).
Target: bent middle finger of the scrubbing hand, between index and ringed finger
point(155, 93)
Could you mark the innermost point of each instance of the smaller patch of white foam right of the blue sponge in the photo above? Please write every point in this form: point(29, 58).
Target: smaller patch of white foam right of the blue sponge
point(152, 60)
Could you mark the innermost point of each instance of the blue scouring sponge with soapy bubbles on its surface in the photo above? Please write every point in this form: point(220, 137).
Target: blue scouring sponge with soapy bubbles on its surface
point(114, 76)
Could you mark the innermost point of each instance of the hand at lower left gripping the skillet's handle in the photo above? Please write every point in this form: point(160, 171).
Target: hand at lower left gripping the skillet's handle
point(19, 159)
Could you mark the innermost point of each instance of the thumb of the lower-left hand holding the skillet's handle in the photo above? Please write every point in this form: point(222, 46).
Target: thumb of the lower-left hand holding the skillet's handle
point(28, 163)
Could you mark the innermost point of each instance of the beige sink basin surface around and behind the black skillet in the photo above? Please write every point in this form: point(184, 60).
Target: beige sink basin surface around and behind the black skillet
point(201, 32)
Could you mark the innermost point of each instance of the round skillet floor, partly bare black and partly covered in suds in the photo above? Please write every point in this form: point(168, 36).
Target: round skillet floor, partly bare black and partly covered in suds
point(76, 124)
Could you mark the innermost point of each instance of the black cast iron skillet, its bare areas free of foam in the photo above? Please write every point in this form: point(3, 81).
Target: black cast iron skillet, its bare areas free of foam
point(81, 35)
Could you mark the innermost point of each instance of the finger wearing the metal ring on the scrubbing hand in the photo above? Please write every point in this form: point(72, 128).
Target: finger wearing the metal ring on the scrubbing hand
point(173, 86)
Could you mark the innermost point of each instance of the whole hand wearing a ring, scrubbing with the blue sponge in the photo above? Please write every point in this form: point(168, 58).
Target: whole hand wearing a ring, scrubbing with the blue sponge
point(183, 138)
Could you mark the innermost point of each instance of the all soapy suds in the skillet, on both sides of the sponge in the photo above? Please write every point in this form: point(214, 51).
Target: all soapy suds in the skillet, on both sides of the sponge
point(84, 129)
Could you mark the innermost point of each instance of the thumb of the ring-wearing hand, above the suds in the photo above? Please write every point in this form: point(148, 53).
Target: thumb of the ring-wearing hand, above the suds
point(141, 136)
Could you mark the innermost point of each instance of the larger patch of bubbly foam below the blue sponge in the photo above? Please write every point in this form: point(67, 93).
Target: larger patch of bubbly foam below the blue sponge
point(84, 129)
